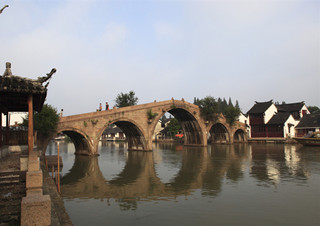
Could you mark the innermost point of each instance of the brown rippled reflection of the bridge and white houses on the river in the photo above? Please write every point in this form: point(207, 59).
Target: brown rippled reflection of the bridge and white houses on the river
point(199, 169)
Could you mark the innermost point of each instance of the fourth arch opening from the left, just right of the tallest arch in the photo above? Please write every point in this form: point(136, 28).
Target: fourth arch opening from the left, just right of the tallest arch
point(219, 134)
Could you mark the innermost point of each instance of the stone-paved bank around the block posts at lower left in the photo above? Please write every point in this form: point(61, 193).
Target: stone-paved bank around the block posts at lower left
point(13, 189)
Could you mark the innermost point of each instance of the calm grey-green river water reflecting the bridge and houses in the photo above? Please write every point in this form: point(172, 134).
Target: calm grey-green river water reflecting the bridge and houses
point(246, 184)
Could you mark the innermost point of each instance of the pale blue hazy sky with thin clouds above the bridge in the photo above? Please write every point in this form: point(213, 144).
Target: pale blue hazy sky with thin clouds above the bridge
point(246, 50)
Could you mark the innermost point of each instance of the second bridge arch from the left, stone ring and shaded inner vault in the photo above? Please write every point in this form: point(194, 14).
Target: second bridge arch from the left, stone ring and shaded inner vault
point(134, 134)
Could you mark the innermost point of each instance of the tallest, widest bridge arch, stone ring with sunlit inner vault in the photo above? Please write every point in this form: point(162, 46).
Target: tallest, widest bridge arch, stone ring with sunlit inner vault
point(190, 124)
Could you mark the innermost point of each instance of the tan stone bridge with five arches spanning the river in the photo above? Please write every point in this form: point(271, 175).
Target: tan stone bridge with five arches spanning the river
point(138, 123)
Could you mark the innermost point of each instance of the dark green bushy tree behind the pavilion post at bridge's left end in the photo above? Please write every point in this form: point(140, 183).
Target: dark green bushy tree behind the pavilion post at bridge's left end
point(45, 122)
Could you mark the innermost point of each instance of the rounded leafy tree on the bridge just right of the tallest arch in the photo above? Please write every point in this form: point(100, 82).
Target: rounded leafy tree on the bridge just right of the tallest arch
point(208, 108)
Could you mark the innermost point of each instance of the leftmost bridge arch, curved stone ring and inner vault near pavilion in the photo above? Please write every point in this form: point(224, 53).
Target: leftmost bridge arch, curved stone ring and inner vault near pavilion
point(83, 145)
